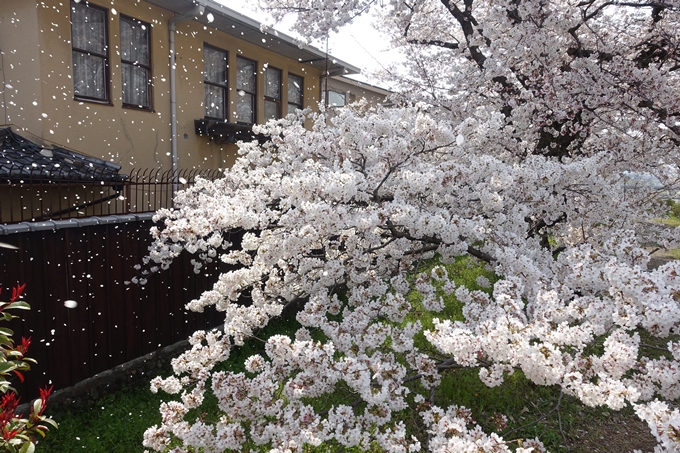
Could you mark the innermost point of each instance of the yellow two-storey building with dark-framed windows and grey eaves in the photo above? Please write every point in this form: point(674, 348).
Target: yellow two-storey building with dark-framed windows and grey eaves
point(96, 76)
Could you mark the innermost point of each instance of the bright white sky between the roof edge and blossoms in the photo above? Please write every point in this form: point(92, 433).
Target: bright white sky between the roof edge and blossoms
point(358, 44)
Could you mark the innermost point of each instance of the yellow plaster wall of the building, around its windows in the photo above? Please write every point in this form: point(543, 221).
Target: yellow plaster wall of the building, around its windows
point(35, 38)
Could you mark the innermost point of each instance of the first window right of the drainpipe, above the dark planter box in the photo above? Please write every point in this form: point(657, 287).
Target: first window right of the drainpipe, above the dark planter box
point(215, 68)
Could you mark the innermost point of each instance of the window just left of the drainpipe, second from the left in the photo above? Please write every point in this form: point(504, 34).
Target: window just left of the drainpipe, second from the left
point(135, 56)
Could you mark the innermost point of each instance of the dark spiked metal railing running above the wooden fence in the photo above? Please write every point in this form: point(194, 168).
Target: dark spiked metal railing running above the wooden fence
point(35, 196)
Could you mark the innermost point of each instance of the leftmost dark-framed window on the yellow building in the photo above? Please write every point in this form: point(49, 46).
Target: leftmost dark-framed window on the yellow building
point(90, 52)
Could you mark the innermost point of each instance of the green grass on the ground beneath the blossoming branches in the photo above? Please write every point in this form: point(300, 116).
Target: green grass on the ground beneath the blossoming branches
point(118, 421)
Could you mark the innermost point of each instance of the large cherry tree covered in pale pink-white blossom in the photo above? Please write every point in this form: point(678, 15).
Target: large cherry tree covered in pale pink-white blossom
point(514, 125)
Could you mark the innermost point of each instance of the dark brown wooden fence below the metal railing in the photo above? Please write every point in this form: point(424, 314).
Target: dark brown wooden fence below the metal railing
point(113, 322)
